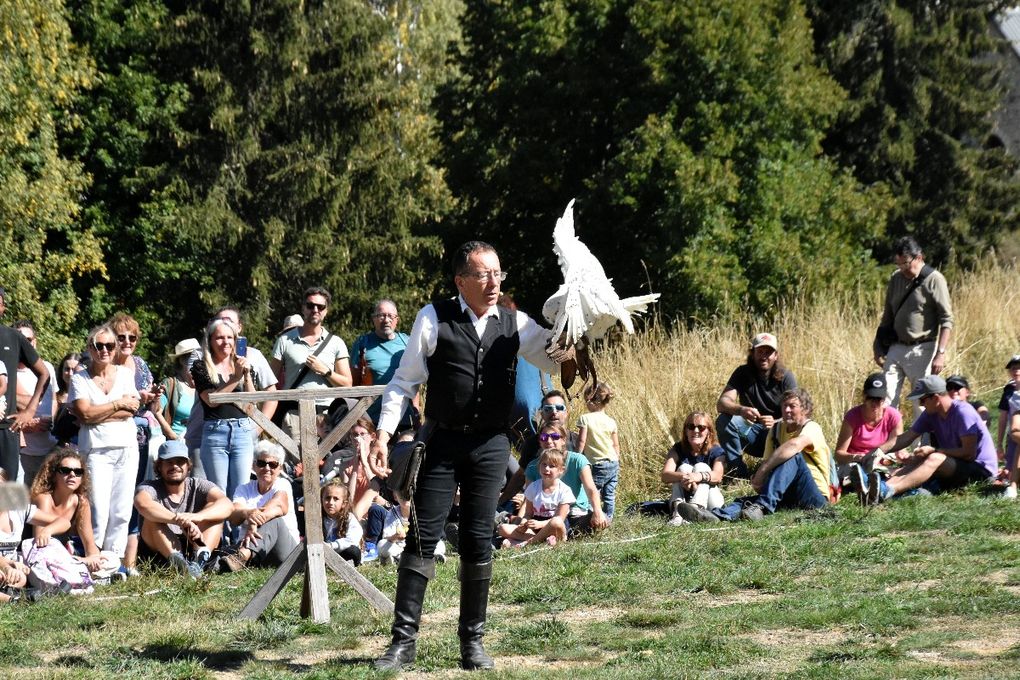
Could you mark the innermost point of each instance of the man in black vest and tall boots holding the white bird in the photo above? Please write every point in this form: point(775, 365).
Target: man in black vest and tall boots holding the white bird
point(466, 348)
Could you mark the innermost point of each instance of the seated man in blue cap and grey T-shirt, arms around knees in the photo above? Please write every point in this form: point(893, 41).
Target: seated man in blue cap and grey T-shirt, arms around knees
point(184, 516)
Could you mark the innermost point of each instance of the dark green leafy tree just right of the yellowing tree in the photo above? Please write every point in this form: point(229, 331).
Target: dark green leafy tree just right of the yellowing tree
point(124, 119)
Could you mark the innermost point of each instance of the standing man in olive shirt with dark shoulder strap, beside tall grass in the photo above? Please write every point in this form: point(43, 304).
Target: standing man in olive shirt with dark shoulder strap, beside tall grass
point(921, 315)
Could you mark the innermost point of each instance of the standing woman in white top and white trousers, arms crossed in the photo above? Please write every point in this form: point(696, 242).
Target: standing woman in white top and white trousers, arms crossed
point(106, 400)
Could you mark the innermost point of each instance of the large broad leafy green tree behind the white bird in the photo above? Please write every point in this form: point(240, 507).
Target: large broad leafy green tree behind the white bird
point(690, 132)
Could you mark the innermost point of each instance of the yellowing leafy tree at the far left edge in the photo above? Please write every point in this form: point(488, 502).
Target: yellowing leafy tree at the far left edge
point(42, 251)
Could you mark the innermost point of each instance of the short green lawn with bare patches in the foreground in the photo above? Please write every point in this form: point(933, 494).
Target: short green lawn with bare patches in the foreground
point(919, 589)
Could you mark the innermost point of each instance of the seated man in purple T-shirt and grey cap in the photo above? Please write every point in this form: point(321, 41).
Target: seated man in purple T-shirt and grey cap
point(966, 453)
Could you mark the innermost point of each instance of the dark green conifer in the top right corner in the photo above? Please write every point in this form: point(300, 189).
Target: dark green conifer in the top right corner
point(922, 93)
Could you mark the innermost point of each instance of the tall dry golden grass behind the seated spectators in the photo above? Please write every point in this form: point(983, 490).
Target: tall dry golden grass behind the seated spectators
point(827, 342)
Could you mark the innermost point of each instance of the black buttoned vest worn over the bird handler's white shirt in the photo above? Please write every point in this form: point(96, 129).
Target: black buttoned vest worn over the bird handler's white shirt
point(472, 382)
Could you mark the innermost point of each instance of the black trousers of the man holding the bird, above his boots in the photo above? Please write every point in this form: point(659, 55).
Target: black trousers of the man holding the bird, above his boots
point(478, 463)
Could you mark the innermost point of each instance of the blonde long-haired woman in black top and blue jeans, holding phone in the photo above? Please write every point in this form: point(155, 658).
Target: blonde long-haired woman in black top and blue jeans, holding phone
point(229, 435)
